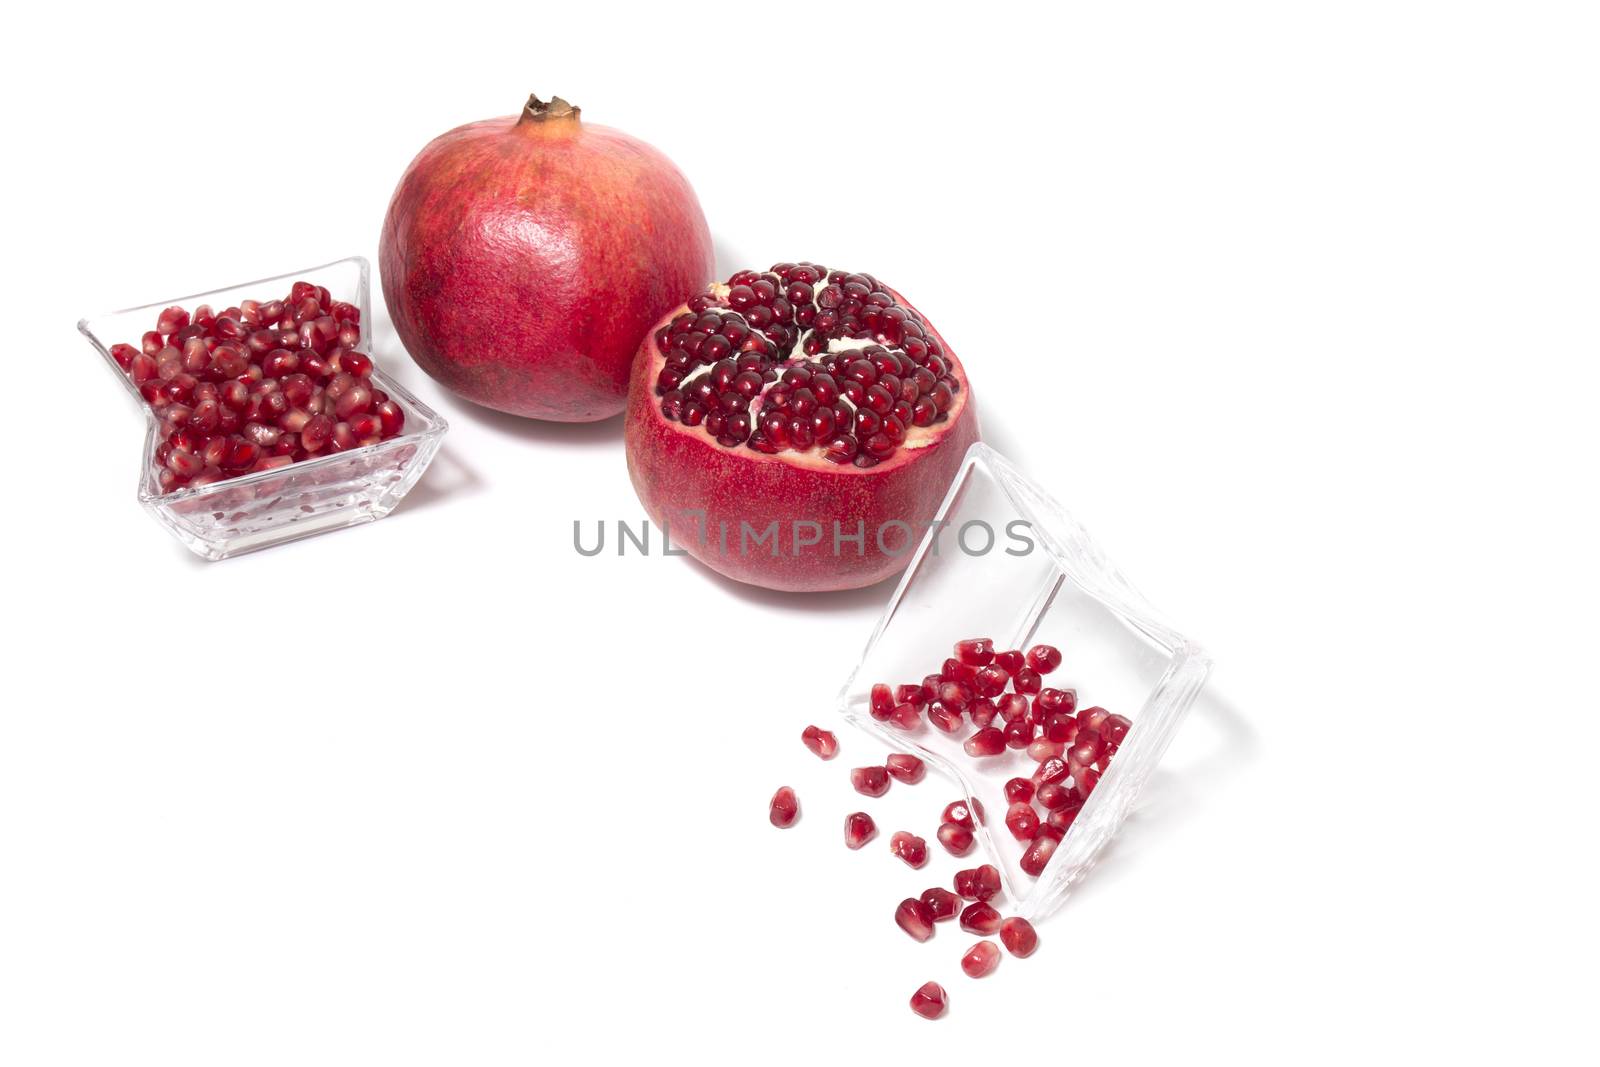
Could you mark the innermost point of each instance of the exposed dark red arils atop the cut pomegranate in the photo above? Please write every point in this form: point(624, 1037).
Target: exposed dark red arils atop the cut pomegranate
point(804, 359)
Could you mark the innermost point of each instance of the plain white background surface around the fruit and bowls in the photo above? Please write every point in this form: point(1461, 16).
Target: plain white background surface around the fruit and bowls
point(1295, 308)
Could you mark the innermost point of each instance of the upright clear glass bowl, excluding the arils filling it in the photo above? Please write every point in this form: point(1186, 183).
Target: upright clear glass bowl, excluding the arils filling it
point(300, 500)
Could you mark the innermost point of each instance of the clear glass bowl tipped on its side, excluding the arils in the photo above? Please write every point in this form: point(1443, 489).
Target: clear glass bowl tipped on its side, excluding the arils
point(1006, 562)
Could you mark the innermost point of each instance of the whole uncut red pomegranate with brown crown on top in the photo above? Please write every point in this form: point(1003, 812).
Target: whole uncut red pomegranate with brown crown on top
point(522, 258)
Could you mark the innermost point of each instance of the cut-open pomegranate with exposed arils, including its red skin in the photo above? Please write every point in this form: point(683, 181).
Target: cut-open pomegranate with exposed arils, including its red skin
point(798, 428)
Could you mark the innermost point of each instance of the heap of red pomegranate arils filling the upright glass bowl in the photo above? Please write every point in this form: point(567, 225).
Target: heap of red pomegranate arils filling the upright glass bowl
point(257, 386)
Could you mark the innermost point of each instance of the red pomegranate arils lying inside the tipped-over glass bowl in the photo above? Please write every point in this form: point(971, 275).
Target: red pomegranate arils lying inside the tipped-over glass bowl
point(1001, 703)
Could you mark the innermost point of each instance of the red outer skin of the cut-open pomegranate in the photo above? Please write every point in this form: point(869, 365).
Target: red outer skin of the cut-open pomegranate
point(679, 470)
